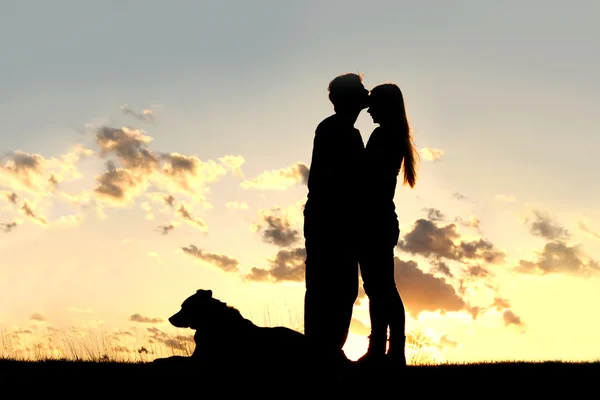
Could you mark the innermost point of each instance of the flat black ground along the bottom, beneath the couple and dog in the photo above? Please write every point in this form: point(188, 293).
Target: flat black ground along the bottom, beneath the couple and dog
point(517, 380)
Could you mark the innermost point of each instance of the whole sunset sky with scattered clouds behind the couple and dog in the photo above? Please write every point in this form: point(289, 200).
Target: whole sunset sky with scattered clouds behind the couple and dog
point(150, 149)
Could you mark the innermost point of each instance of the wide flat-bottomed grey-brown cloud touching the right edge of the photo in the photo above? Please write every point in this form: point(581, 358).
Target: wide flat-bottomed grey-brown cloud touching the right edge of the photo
point(558, 257)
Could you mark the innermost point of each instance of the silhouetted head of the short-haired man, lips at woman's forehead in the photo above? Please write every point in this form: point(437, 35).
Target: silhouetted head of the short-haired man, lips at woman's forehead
point(347, 93)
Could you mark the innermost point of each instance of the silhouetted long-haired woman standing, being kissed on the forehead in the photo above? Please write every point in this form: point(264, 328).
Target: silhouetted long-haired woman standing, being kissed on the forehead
point(389, 147)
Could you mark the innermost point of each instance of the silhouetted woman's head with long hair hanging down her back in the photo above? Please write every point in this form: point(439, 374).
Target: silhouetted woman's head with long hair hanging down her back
point(386, 107)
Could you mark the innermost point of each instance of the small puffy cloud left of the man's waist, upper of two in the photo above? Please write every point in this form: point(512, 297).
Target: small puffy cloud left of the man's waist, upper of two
point(275, 228)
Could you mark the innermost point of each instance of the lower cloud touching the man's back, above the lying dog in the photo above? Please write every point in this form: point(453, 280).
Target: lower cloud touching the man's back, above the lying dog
point(287, 266)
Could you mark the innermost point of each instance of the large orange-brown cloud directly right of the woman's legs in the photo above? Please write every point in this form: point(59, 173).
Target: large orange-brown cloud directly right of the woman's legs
point(423, 291)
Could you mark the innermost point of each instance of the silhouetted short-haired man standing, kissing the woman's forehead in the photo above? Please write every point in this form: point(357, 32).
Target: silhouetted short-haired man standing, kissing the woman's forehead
point(330, 222)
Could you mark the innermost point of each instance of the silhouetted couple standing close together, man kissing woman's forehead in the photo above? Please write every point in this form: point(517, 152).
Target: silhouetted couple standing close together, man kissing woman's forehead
point(350, 222)
